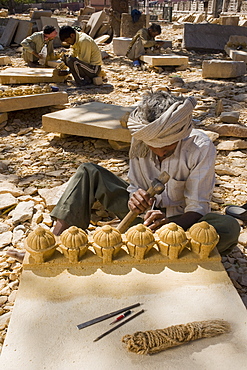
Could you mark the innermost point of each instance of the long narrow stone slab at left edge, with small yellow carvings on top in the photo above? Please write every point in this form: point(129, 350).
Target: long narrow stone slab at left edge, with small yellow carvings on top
point(33, 101)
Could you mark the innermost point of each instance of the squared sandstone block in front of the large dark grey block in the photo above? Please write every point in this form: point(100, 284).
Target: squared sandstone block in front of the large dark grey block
point(222, 69)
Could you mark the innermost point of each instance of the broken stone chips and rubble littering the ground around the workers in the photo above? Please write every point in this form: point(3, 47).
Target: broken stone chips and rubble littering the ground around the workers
point(35, 166)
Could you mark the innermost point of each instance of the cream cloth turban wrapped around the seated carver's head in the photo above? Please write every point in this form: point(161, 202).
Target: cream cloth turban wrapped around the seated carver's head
point(173, 125)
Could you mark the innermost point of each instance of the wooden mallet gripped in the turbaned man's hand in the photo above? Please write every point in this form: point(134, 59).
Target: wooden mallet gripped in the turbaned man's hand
point(157, 187)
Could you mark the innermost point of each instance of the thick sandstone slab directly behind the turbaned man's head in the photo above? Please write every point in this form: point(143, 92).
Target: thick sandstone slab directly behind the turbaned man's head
point(91, 120)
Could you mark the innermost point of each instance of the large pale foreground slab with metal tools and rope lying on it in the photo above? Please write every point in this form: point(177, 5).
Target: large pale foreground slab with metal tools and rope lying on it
point(50, 304)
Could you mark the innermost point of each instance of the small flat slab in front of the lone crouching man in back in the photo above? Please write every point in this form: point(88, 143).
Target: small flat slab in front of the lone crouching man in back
point(165, 60)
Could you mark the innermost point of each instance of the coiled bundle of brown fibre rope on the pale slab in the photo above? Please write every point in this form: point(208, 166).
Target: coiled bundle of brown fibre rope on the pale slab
point(153, 341)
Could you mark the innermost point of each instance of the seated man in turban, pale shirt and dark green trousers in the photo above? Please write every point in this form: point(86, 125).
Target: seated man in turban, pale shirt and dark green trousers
point(163, 139)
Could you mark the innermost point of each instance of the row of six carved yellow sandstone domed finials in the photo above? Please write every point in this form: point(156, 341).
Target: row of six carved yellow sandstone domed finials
point(107, 245)
